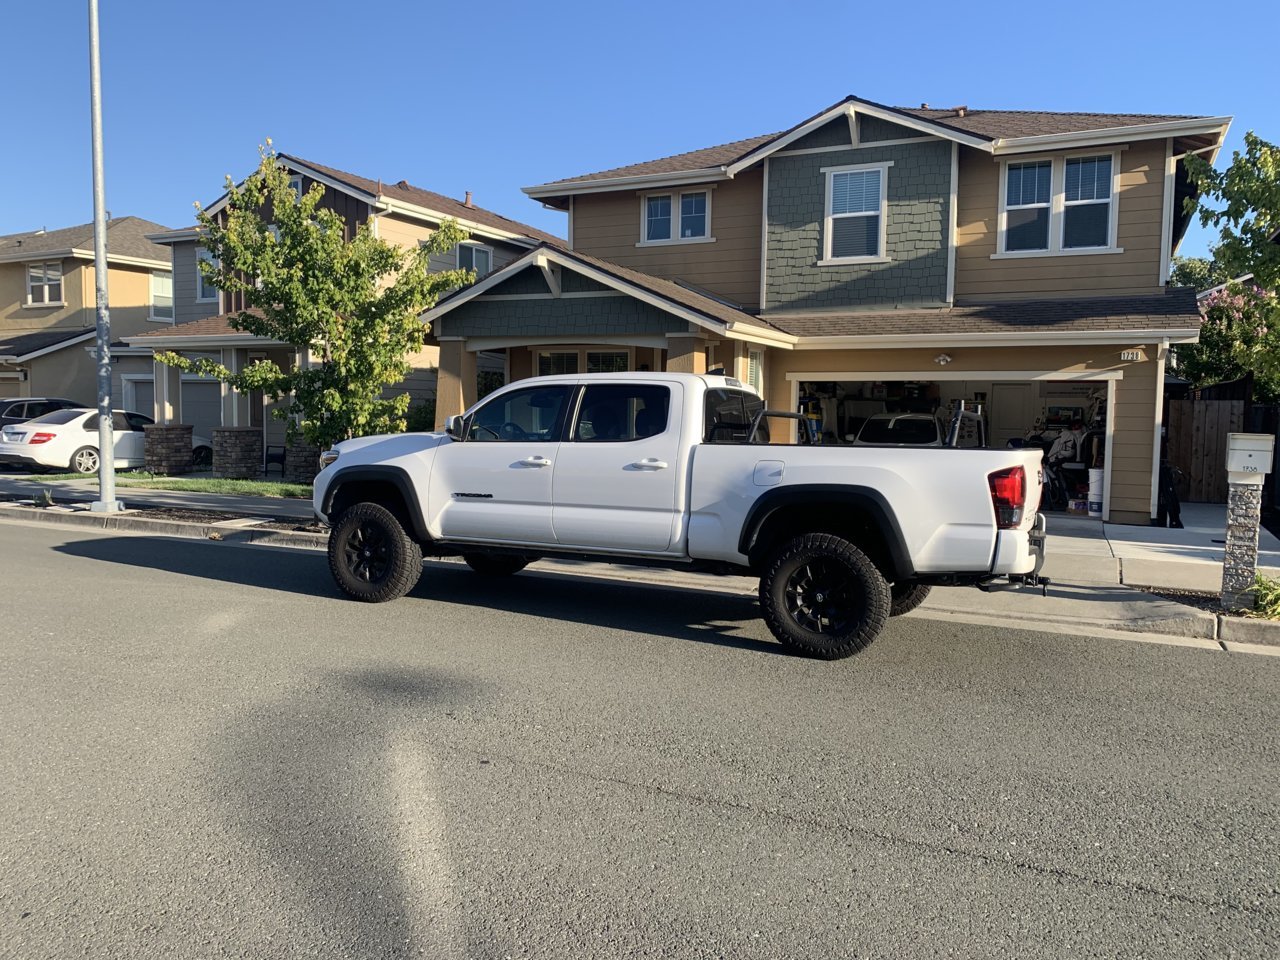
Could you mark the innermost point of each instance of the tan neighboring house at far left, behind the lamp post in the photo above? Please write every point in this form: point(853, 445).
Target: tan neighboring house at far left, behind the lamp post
point(49, 298)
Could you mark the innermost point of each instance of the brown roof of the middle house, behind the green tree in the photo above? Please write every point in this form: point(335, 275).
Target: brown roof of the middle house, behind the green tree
point(413, 200)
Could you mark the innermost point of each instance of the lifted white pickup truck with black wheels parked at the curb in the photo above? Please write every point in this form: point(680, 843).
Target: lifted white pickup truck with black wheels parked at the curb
point(679, 470)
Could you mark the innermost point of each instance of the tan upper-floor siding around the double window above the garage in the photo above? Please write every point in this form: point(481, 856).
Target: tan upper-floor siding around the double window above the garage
point(1135, 272)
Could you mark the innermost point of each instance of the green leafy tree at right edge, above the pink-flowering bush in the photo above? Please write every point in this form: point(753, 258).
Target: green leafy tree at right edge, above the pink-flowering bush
point(1244, 202)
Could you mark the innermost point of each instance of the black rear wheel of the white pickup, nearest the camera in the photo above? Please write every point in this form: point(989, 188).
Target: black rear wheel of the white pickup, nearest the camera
point(824, 597)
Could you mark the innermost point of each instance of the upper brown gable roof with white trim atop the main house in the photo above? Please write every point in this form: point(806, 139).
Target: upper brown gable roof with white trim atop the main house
point(993, 131)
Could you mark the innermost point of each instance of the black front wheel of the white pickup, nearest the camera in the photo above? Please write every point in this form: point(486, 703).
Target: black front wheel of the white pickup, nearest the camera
point(372, 557)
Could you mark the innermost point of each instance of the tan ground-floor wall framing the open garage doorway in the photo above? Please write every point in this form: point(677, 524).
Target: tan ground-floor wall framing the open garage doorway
point(1131, 452)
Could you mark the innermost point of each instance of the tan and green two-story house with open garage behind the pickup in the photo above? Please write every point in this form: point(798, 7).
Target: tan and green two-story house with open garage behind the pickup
point(876, 259)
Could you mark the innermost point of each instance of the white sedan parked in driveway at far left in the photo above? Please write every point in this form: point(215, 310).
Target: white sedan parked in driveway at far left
point(67, 440)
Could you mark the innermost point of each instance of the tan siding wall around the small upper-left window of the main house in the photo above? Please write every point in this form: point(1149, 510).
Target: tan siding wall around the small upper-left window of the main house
point(609, 226)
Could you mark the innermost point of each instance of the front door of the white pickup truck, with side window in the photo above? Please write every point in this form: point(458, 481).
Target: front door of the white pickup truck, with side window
point(496, 486)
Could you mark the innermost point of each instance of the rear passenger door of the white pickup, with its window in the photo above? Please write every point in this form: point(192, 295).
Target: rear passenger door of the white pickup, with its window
point(618, 472)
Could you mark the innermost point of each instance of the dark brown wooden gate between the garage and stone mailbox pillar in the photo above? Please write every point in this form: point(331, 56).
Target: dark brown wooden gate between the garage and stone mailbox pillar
point(1197, 446)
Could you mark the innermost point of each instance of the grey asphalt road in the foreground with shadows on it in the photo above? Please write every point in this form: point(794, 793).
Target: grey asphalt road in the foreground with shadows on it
point(208, 753)
